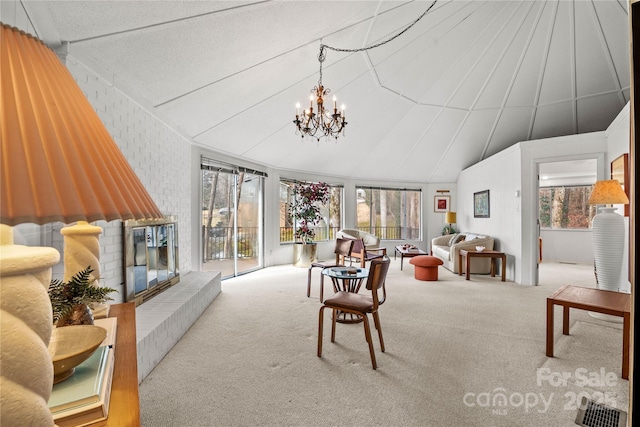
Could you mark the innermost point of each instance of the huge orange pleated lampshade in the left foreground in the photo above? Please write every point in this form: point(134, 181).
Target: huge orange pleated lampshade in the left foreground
point(58, 161)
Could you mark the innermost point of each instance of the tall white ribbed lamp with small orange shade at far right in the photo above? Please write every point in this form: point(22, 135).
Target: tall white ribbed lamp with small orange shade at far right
point(608, 233)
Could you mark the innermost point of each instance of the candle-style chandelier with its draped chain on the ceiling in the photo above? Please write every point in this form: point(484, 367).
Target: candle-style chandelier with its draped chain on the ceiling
point(324, 122)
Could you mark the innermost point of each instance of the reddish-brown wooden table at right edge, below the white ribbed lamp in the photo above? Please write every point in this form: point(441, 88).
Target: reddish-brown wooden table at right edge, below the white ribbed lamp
point(597, 300)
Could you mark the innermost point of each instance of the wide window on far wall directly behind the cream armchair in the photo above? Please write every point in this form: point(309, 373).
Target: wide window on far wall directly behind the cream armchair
point(389, 213)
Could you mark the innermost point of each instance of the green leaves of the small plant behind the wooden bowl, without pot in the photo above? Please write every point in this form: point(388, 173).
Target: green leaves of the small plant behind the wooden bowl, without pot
point(65, 296)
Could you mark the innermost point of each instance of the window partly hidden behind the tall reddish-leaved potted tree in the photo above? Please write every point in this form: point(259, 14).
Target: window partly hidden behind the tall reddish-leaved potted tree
point(331, 212)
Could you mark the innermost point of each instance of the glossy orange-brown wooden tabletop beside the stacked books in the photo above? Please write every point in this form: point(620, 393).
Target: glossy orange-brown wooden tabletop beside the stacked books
point(124, 407)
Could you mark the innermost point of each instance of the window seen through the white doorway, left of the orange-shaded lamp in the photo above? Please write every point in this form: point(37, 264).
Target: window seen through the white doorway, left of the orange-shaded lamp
point(566, 207)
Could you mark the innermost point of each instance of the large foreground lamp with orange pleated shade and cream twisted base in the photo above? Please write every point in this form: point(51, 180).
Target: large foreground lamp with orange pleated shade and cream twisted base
point(58, 163)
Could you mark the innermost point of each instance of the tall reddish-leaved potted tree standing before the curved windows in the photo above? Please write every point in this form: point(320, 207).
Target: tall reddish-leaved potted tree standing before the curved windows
point(305, 212)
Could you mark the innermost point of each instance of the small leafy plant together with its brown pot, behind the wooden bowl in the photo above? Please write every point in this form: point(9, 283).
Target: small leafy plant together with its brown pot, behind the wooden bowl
point(71, 301)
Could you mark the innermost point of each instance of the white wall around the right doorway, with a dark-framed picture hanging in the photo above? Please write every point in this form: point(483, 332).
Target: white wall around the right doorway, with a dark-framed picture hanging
point(513, 215)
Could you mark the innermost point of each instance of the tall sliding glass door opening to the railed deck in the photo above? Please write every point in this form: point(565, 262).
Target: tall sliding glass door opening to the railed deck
point(231, 220)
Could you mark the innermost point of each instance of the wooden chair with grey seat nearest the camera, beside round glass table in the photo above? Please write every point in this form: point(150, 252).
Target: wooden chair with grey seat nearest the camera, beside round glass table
point(360, 305)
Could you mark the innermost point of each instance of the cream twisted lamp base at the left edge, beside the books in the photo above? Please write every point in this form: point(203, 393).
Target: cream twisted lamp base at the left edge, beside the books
point(26, 325)
